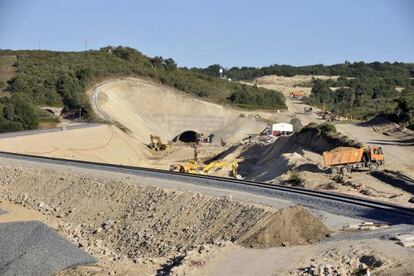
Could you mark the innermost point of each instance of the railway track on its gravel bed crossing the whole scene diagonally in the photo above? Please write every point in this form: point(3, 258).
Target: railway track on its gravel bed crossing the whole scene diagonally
point(331, 202)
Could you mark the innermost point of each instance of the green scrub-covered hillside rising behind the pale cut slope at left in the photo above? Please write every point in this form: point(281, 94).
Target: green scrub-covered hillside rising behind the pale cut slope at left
point(49, 78)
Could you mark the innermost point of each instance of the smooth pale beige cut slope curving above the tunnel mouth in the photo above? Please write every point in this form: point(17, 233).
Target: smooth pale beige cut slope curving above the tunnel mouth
point(146, 108)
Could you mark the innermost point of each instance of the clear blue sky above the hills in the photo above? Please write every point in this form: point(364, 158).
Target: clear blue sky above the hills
point(228, 32)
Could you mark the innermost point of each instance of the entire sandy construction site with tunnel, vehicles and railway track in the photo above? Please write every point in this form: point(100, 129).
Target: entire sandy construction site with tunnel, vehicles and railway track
point(159, 189)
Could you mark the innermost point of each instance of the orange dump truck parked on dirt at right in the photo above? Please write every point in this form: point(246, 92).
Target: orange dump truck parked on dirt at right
point(344, 159)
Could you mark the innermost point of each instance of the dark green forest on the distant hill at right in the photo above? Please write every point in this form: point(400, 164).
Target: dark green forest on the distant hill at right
point(362, 91)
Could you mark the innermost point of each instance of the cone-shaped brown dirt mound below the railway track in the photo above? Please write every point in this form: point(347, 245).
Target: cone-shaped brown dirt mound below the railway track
point(289, 226)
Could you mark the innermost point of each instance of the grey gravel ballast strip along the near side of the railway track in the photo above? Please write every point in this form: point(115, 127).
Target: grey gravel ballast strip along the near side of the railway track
point(343, 208)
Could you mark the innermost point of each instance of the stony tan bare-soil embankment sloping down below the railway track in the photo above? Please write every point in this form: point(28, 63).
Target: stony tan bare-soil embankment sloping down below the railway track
point(123, 222)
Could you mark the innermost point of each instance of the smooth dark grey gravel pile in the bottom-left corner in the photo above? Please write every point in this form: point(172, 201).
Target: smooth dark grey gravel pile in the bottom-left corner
point(32, 248)
